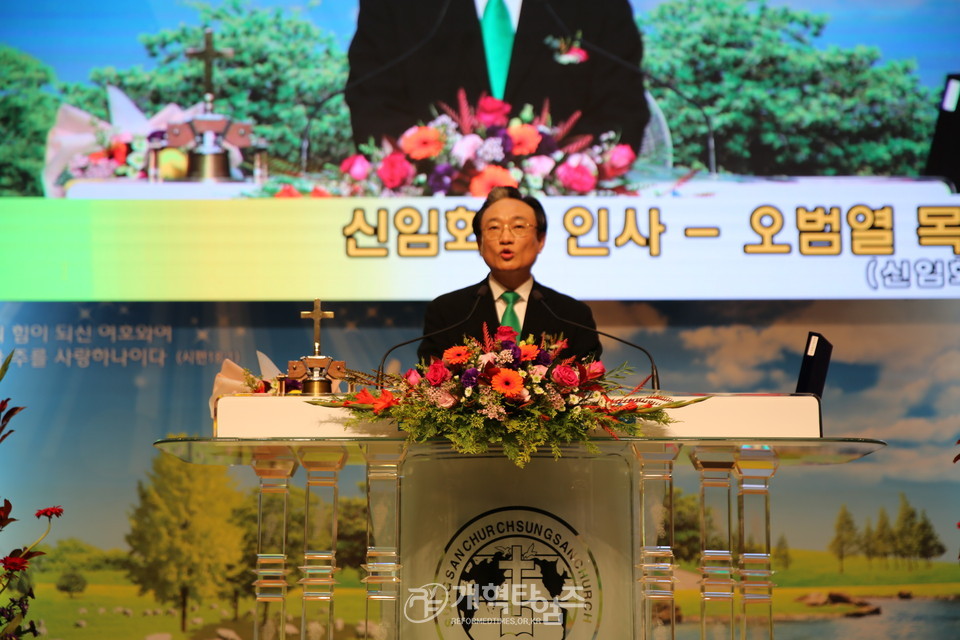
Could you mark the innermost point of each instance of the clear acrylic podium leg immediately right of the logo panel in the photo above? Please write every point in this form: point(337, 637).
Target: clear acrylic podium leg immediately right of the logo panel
point(656, 606)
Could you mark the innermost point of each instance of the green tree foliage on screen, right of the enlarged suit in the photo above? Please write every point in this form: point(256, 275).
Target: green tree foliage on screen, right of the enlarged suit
point(780, 105)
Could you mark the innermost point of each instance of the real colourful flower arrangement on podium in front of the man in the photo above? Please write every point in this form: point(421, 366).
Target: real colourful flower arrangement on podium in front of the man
point(518, 395)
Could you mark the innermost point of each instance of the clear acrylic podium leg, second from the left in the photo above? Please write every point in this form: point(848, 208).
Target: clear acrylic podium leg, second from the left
point(322, 465)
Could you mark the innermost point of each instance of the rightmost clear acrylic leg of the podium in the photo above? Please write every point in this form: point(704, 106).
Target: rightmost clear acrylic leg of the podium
point(755, 466)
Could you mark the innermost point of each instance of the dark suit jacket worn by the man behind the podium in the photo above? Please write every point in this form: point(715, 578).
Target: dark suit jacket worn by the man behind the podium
point(451, 308)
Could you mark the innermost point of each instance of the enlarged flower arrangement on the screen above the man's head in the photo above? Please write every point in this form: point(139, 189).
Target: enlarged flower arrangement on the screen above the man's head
point(468, 150)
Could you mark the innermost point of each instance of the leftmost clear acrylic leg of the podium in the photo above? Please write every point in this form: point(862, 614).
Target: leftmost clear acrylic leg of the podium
point(274, 467)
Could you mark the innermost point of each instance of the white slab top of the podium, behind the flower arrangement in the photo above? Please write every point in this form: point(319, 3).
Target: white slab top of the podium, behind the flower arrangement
point(721, 416)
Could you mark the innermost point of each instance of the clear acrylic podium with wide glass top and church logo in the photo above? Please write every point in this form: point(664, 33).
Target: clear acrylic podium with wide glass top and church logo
point(474, 547)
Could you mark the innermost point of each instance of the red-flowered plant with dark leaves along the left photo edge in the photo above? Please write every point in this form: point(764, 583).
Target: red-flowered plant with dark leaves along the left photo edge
point(13, 623)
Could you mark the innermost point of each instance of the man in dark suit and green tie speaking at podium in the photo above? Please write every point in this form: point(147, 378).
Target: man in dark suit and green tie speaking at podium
point(511, 230)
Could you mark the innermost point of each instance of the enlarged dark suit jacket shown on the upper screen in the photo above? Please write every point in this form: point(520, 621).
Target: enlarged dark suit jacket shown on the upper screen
point(610, 95)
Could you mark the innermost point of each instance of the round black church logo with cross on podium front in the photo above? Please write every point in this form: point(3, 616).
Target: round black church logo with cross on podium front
point(508, 572)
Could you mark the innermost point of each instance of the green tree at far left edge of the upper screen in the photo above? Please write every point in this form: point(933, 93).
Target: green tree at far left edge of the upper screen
point(27, 111)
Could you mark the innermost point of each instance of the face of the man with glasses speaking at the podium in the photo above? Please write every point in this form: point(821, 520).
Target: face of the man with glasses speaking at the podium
point(509, 257)
